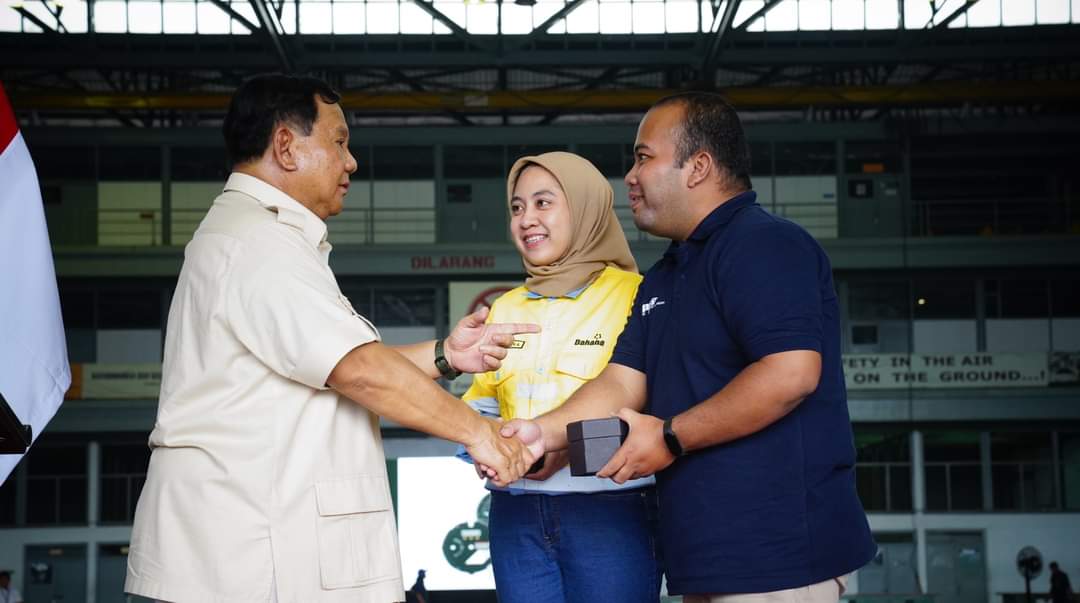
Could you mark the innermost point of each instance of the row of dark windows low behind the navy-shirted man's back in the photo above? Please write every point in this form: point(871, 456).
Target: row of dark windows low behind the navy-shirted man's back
point(971, 471)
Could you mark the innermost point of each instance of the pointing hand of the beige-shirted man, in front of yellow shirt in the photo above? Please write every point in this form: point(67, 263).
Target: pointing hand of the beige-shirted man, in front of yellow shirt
point(479, 347)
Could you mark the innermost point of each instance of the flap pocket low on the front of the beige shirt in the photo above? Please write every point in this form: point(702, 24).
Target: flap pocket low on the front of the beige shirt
point(358, 545)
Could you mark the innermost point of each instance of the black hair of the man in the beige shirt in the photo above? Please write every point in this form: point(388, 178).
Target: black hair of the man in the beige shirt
point(264, 102)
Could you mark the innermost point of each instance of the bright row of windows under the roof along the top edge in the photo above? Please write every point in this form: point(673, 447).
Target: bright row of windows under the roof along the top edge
point(593, 17)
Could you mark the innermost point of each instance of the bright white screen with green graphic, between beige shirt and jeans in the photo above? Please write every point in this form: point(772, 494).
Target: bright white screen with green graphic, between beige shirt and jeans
point(442, 524)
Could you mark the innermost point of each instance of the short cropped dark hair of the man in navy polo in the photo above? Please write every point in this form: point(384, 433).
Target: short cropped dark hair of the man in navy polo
point(711, 125)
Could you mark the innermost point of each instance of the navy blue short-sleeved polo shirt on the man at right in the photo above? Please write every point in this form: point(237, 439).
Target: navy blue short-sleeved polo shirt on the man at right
point(776, 510)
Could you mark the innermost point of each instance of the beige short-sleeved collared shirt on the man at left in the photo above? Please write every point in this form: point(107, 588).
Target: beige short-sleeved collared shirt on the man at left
point(262, 480)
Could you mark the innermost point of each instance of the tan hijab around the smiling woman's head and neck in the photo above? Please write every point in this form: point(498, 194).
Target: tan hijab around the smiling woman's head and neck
point(598, 240)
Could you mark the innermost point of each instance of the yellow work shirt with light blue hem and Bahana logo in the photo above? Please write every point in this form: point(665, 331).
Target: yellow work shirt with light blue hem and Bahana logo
point(576, 341)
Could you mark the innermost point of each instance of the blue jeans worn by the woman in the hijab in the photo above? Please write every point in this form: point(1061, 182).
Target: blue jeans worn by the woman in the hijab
point(575, 547)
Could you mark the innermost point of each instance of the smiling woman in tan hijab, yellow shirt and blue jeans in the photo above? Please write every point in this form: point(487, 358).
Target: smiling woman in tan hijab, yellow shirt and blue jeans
point(556, 538)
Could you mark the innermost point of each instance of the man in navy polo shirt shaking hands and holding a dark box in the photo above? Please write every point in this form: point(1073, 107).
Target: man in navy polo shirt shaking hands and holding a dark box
point(733, 349)
